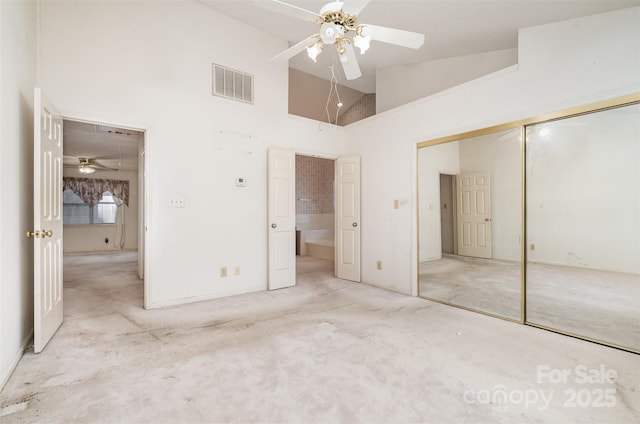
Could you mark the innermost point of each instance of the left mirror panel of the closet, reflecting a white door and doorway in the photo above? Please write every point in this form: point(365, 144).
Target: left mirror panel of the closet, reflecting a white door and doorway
point(469, 212)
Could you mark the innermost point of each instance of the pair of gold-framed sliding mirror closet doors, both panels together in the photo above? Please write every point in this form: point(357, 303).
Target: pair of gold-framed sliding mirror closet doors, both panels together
point(550, 207)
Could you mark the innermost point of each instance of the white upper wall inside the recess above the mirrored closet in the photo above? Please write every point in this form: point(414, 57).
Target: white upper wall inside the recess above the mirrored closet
point(398, 85)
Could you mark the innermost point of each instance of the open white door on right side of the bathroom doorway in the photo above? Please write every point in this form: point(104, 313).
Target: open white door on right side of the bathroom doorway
point(347, 237)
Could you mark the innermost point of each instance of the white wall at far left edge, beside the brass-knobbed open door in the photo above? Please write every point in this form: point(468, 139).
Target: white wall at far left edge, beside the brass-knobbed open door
point(17, 79)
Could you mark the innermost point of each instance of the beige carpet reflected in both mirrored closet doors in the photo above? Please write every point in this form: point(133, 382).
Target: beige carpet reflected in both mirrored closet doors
point(595, 304)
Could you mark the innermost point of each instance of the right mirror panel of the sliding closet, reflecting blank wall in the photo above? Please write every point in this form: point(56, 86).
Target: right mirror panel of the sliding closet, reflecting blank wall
point(583, 225)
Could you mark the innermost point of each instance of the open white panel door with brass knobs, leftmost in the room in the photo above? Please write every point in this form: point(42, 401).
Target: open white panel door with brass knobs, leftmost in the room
point(47, 221)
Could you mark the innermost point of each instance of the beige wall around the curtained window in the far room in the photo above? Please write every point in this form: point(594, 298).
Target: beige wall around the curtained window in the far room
point(90, 238)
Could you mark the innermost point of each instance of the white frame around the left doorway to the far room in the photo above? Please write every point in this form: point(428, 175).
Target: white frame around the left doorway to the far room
point(147, 281)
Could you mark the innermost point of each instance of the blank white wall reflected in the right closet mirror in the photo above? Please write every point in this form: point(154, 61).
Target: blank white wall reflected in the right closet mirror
point(583, 191)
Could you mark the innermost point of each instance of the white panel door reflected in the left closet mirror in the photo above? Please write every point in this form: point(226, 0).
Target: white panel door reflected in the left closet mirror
point(474, 214)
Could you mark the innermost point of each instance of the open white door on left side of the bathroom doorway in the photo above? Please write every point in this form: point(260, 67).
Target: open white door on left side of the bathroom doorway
point(281, 213)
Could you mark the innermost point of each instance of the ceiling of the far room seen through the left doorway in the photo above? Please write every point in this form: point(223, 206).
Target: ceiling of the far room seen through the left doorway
point(113, 147)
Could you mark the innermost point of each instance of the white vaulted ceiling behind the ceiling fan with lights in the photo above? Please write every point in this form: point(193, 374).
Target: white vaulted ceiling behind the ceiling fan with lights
point(451, 27)
